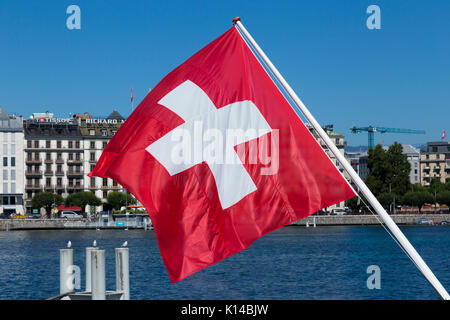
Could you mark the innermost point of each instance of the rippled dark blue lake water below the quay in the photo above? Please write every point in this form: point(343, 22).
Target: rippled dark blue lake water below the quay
point(290, 263)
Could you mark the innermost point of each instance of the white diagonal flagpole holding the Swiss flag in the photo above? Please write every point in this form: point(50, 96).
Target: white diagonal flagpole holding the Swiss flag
point(390, 224)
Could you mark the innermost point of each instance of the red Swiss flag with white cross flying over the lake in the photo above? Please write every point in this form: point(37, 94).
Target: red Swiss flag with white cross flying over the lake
point(210, 196)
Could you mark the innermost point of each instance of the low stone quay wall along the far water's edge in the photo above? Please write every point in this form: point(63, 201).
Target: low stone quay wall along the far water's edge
point(325, 220)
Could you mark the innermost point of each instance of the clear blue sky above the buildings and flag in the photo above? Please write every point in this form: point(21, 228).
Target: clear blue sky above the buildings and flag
point(346, 74)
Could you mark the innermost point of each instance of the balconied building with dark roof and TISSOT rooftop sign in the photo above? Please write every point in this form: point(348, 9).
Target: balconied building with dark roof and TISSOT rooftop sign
point(53, 156)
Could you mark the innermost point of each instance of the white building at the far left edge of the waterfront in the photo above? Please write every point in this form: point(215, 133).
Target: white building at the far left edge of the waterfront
point(12, 170)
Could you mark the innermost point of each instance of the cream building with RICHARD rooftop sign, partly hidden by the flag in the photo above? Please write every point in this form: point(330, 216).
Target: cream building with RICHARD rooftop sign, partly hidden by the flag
point(96, 134)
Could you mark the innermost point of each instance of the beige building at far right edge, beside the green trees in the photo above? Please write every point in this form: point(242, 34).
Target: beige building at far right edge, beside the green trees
point(435, 163)
